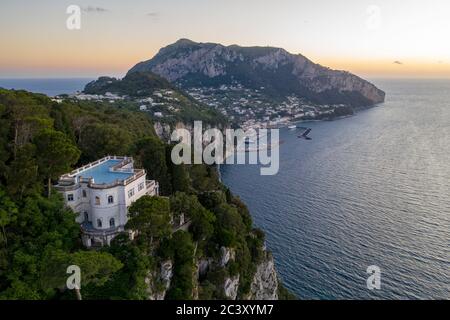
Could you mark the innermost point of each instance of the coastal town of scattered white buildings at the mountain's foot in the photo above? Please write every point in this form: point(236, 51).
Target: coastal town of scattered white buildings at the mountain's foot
point(243, 107)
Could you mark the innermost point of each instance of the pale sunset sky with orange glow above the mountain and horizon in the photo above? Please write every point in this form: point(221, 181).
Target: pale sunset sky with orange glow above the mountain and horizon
point(378, 38)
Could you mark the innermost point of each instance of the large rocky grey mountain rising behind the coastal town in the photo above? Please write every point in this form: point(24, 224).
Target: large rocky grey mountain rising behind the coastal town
point(274, 71)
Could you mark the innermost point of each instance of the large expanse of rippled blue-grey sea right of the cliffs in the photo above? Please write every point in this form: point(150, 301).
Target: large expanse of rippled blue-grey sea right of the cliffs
point(373, 189)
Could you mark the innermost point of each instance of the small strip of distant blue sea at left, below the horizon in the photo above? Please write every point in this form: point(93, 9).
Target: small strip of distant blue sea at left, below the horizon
point(50, 87)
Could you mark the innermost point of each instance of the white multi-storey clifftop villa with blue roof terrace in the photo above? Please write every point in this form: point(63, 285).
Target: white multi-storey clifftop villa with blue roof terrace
point(101, 193)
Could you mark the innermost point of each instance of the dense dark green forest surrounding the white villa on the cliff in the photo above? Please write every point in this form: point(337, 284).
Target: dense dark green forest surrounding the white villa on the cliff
point(41, 139)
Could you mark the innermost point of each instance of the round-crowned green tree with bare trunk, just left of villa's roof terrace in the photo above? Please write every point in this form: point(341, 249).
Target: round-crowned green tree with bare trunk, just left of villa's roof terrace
point(56, 154)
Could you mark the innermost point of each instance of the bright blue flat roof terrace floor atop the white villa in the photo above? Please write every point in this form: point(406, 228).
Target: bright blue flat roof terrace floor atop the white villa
point(102, 174)
